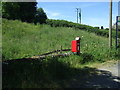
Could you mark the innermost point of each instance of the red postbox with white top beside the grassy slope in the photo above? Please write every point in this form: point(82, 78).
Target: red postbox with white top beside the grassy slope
point(75, 45)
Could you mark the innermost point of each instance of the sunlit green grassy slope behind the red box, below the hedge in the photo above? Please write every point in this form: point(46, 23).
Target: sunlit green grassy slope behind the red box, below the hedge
point(25, 40)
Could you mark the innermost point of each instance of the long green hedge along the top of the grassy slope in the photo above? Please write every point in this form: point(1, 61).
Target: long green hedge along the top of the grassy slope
point(64, 23)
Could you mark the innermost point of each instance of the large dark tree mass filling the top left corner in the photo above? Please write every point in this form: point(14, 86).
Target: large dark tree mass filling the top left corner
point(24, 11)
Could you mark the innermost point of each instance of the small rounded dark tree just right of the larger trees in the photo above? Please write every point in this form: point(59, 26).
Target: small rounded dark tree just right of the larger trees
point(40, 16)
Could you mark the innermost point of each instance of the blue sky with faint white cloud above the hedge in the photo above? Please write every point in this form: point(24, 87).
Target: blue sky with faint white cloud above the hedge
point(93, 13)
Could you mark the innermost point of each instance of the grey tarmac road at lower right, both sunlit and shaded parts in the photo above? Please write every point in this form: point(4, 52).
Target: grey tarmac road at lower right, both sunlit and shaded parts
point(109, 77)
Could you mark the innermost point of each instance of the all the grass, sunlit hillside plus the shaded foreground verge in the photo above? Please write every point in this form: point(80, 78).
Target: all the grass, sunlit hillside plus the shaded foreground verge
point(25, 40)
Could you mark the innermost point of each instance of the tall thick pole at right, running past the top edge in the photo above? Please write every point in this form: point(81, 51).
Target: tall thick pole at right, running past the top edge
point(110, 26)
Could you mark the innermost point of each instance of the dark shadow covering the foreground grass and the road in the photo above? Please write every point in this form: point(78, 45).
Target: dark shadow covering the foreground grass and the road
point(53, 73)
